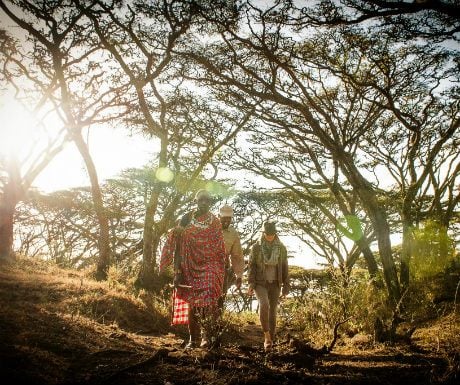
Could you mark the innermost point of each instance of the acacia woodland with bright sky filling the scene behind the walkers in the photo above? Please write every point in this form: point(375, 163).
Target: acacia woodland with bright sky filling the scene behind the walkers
point(339, 119)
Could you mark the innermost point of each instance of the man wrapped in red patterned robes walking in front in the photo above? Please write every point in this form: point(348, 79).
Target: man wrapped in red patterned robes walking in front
point(197, 247)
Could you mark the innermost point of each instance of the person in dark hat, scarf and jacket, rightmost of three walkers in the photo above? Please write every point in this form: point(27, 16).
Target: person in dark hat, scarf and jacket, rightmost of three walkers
point(268, 276)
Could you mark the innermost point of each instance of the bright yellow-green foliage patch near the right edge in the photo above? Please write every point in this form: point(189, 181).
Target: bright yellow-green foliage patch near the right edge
point(432, 250)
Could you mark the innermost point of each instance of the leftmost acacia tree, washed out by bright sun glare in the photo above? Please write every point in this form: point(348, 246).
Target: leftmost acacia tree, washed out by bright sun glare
point(21, 163)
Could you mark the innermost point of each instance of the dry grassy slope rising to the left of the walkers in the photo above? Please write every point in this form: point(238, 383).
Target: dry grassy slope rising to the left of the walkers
point(50, 316)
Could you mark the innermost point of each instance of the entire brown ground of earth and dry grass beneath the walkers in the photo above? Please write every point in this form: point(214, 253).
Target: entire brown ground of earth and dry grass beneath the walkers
point(59, 327)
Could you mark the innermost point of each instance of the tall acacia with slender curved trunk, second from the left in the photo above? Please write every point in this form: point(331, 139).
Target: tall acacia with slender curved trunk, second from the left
point(59, 42)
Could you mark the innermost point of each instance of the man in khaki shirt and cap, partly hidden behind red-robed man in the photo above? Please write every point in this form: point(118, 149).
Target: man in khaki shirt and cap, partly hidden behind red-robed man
point(234, 253)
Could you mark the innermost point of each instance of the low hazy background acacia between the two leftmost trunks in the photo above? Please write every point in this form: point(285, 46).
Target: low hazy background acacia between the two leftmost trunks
point(60, 227)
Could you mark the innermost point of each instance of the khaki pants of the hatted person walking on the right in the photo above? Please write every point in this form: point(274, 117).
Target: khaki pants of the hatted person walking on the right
point(268, 297)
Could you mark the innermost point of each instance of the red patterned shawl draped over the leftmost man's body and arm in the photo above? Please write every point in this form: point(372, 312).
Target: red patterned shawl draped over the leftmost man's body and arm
point(203, 260)
